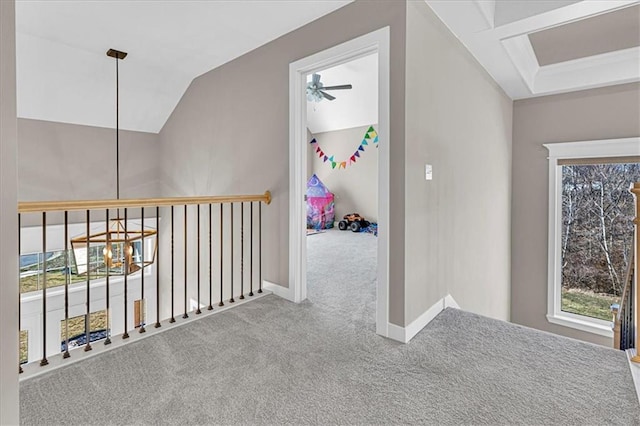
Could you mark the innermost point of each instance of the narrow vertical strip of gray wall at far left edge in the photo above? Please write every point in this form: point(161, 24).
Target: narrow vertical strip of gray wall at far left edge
point(8, 219)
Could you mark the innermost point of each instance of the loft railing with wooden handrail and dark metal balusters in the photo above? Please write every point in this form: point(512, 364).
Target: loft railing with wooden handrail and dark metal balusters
point(94, 270)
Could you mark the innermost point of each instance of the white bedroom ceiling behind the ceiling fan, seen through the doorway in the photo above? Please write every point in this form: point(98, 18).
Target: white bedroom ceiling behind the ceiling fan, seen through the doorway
point(351, 108)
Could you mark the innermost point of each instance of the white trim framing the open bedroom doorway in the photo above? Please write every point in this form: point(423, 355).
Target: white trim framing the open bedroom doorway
point(376, 41)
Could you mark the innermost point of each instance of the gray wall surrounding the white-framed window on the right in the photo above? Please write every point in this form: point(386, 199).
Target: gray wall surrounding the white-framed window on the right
point(607, 113)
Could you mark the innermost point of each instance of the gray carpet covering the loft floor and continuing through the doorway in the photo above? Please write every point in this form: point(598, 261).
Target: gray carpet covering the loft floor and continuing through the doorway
point(319, 362)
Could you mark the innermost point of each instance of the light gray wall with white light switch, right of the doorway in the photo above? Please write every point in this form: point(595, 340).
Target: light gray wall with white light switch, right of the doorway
point(458, 224)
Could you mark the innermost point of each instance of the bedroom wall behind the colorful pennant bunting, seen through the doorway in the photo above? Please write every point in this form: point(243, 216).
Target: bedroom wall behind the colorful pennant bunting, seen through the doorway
point(356, 187)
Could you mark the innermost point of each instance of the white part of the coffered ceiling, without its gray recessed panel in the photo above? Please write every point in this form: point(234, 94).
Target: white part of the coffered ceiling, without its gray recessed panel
point(496, 33)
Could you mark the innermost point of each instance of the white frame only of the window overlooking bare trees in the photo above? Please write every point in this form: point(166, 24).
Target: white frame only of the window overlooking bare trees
point(566, 150)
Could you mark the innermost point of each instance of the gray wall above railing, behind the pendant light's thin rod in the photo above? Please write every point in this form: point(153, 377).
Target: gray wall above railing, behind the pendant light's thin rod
point(58, 161)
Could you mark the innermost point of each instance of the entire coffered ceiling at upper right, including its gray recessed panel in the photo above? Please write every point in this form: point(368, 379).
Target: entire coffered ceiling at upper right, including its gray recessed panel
point(534, 48)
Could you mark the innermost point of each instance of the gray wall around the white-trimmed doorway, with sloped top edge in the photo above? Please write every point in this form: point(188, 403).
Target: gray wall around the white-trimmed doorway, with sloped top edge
point(230, 132)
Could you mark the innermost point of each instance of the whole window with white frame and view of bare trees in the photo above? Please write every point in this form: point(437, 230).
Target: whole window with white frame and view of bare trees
point(591, 214)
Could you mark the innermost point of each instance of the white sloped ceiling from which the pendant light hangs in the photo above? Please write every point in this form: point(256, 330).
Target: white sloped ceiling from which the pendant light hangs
point(64, 74)
